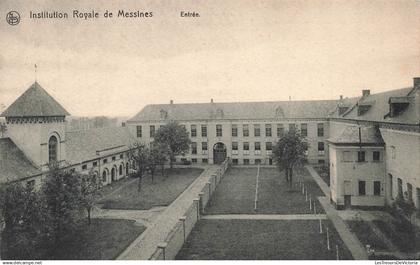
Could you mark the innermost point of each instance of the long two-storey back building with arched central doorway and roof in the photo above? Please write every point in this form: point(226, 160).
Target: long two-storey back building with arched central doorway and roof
point(244, 132)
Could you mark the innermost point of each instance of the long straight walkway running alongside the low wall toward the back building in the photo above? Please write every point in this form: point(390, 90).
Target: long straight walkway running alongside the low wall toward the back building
point(145, 245)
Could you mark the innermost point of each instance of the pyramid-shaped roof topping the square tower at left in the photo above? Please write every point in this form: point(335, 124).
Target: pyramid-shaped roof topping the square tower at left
point(35, 102)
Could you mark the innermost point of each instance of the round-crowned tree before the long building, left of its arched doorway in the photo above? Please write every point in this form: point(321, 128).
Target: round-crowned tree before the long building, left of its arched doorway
point(175, 138)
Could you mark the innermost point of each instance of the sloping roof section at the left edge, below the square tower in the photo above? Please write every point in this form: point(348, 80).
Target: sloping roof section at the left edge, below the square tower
point(14, 165)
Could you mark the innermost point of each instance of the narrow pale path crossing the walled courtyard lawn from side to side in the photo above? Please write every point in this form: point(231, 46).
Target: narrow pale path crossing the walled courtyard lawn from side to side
point(265, 217)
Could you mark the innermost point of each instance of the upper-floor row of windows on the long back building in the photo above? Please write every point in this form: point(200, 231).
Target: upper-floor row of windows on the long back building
point(245, 130)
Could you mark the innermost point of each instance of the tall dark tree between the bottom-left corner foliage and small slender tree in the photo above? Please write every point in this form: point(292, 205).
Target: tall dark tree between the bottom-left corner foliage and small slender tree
point(62, 192)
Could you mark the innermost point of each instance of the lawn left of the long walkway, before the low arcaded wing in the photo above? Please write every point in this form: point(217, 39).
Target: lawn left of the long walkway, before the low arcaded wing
point(162, 192)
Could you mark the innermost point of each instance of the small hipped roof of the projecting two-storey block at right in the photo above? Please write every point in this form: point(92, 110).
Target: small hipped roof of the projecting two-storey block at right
point(350, 135)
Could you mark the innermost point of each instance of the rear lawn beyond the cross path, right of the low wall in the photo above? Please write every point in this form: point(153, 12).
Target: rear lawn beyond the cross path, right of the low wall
point(236, 193)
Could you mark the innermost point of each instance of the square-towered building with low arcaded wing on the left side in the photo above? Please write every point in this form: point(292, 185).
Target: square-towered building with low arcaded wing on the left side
point(36, 136)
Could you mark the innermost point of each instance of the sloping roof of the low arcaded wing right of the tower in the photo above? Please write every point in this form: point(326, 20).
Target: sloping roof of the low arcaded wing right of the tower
point(83, 145)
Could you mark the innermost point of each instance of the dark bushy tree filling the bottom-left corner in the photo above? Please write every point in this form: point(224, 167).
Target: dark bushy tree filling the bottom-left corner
point(23, 211)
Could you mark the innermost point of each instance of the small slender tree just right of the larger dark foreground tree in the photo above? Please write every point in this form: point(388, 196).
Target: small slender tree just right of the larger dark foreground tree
point(90, 186)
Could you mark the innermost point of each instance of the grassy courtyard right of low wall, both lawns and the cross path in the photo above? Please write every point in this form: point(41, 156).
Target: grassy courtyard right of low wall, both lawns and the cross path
point(283, 227)
